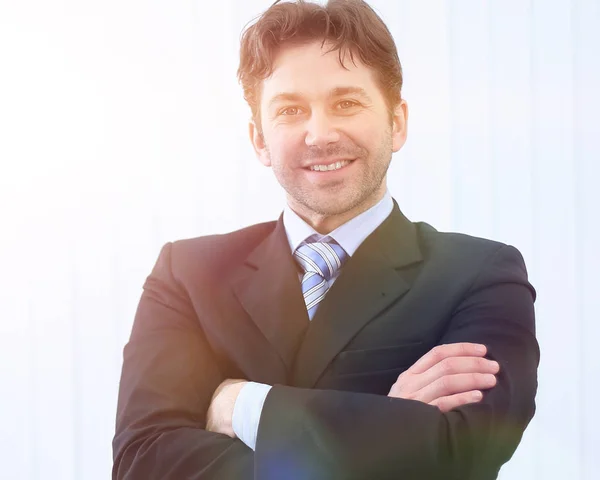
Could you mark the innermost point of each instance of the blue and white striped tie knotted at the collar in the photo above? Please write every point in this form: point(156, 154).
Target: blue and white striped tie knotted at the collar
point(320, 261)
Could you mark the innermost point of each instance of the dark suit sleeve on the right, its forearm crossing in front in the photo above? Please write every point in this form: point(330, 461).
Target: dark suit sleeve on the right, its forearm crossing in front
point(323, 434)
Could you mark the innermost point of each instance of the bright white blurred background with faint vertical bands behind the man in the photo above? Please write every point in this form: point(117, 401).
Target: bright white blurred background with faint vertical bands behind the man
point(122, 127)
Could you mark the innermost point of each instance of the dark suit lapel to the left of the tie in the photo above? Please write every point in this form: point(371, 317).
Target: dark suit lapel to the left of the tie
point(268, 287)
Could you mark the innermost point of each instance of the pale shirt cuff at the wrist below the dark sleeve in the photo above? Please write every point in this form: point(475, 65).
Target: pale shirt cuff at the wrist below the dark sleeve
point(246, 411)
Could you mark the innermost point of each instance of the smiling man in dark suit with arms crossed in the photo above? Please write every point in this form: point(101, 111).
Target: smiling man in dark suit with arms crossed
point(341, 341)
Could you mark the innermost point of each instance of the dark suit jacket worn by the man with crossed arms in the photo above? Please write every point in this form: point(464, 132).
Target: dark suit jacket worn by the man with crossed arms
point(230, 306)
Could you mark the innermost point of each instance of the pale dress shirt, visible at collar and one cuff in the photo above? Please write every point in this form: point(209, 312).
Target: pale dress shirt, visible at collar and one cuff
point(252, 396)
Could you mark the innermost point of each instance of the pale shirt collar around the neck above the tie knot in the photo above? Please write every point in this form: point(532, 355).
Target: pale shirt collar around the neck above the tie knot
point(349, 235)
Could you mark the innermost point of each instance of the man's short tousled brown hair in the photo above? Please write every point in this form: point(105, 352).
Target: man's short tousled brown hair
point(352, 26)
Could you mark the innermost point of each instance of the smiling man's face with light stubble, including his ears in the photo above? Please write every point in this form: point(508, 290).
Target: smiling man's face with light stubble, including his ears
point(327, 132)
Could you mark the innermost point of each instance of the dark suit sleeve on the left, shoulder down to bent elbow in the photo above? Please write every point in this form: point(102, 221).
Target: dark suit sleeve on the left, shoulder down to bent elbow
point(169, 375)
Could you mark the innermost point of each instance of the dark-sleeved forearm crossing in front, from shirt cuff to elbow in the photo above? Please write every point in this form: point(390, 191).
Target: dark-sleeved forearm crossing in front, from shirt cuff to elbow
point(323, 434)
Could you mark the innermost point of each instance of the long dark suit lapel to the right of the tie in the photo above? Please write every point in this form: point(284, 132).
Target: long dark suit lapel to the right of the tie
point(370, 281)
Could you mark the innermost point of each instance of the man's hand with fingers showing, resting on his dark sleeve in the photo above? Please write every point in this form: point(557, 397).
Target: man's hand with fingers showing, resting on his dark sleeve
point(448, 376)
